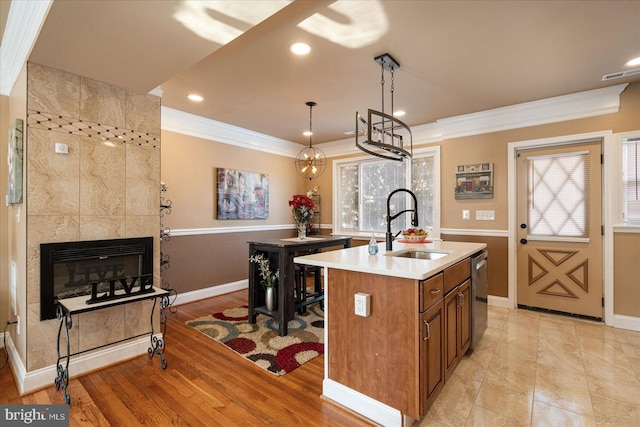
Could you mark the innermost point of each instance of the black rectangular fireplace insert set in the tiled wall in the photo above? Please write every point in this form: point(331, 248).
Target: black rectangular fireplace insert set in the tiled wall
point(105, 267)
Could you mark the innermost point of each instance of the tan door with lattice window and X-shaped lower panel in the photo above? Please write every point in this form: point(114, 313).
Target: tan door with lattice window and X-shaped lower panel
point(559, 214)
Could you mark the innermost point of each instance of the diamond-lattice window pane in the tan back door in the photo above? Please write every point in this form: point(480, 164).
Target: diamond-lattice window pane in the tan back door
point(558, 195)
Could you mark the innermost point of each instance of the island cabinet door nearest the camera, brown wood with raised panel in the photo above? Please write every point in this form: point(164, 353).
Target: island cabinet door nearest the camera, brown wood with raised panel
point(431, 355)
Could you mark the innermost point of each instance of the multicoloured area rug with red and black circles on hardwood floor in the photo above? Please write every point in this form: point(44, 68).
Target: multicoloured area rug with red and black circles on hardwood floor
point(261, 343)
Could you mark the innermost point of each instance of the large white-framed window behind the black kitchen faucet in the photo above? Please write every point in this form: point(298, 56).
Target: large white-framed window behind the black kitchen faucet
point(363, 185)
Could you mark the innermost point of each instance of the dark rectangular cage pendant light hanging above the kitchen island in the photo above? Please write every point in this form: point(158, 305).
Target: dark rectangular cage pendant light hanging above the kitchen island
point(385, 136)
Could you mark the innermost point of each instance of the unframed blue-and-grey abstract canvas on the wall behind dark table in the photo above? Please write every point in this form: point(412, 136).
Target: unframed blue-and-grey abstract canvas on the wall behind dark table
point(241, 194)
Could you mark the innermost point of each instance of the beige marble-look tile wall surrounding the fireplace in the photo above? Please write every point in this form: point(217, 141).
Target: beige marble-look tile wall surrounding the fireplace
point(93, 192)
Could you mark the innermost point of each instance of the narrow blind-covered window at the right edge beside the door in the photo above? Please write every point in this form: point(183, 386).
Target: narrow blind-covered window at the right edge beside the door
point(631, 178)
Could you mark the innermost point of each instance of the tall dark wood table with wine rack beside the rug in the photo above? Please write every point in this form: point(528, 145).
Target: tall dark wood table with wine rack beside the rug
point(281, 253)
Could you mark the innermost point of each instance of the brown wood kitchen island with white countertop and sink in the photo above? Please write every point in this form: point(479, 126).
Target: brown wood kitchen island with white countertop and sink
point(390, 363)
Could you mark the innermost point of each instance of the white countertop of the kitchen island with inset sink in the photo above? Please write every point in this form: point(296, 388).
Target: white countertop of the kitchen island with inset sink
point(358, 259)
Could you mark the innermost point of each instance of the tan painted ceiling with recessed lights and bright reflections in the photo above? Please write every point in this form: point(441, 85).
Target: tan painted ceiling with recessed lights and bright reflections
point(456, 57)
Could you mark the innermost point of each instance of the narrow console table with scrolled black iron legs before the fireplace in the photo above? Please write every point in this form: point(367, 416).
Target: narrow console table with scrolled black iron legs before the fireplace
point(69, 306)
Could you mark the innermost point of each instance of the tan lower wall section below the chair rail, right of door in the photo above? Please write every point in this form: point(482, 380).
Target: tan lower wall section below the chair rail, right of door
point(626, 276)
